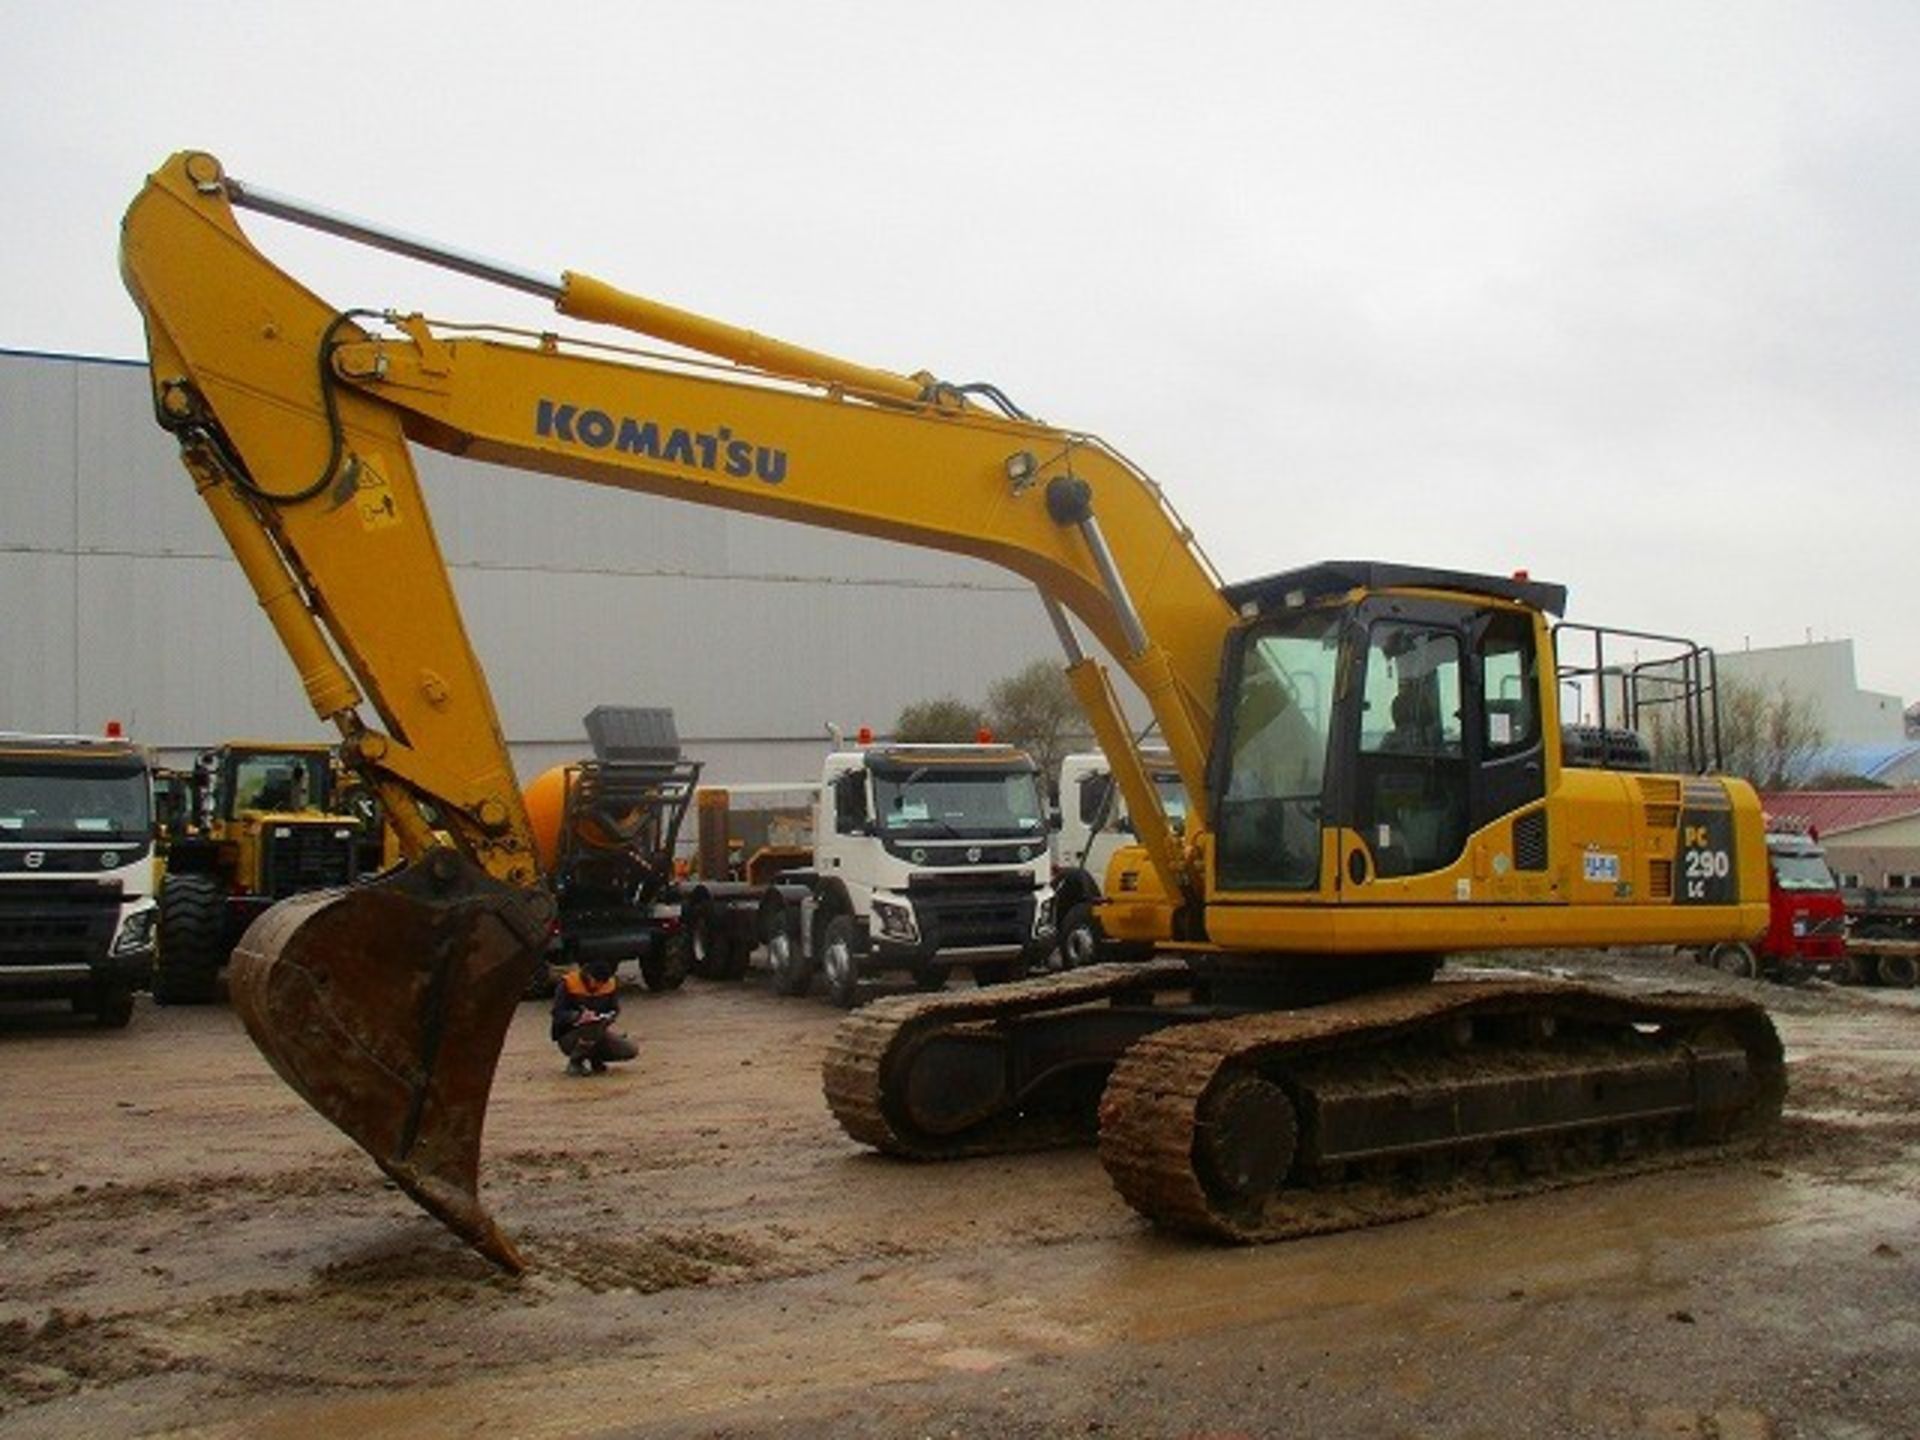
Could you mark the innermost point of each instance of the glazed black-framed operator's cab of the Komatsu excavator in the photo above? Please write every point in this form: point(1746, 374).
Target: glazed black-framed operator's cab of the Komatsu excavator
point(1374, 719)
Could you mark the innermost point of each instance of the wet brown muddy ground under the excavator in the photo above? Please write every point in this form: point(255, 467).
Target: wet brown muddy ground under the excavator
point(187, 1249)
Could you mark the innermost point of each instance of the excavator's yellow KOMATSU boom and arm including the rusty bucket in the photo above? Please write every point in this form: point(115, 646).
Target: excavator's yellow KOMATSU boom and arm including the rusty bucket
point(387, 1007)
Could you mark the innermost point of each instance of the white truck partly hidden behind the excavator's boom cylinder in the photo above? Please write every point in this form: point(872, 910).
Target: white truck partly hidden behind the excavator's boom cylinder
point(1093, 828)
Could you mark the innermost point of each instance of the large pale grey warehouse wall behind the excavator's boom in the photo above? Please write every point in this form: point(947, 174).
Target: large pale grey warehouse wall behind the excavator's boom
point(122, 602)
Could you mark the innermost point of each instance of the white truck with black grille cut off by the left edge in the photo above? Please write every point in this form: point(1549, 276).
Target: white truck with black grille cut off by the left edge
point(76, 873)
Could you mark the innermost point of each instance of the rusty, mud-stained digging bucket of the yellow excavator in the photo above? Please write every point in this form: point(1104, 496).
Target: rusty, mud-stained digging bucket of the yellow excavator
point(387, 1007)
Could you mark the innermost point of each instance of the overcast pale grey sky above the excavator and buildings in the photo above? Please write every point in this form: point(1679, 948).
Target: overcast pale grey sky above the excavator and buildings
point(1618, 293)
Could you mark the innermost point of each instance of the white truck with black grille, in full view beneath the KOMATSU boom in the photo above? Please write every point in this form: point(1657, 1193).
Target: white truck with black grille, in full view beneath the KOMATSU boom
point(926, 859)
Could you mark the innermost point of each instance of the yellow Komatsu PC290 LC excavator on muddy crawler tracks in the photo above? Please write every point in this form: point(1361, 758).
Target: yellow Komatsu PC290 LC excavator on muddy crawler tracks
point(1372, 754)
